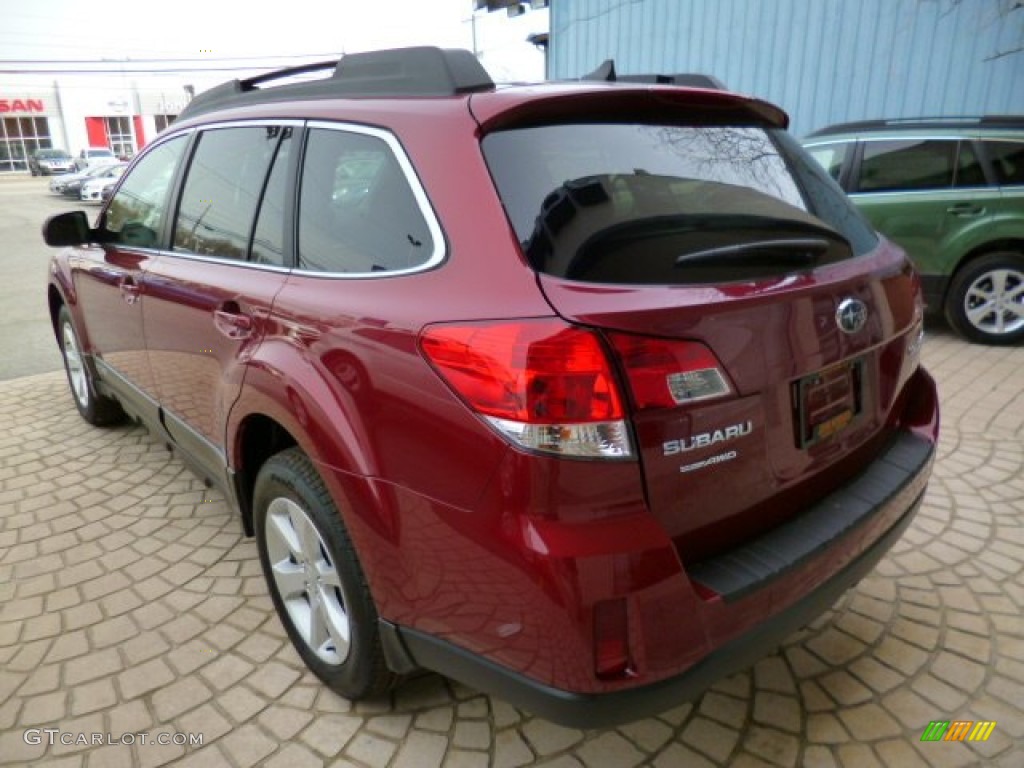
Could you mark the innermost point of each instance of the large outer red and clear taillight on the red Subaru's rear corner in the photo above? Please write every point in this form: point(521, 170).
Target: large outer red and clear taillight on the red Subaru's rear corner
point(545, 385)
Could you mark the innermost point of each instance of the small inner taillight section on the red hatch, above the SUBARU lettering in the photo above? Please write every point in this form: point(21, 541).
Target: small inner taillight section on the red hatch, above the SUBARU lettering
point(666, 374)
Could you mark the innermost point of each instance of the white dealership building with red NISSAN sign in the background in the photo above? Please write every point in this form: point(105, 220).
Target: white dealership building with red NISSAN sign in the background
point(80, 111)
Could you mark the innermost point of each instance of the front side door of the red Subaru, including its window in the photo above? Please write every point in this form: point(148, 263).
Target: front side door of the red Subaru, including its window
point(109, 277)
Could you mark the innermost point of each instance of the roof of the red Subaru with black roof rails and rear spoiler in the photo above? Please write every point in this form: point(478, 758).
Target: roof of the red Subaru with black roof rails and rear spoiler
point(397, 78)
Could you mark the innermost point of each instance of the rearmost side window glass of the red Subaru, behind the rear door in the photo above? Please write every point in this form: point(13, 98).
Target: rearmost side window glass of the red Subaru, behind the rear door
point(359, 212)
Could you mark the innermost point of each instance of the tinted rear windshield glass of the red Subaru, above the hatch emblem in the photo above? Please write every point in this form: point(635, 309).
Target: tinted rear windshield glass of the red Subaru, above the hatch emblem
point(653, 204)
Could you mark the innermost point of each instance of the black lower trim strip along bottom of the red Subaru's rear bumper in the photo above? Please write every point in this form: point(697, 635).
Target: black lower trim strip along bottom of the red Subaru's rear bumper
point(604, 710)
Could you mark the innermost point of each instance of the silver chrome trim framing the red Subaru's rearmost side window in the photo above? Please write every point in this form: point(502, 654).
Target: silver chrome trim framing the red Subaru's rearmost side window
point(412, 179)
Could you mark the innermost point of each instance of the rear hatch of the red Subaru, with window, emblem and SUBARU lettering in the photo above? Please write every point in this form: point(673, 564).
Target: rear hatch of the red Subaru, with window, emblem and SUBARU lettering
point(761, 329)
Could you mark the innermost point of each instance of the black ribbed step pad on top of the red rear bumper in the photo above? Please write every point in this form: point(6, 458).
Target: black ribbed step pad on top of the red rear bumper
point(751, 568)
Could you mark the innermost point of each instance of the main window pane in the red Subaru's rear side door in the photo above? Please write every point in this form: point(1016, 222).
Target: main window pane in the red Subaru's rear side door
point(223, 190)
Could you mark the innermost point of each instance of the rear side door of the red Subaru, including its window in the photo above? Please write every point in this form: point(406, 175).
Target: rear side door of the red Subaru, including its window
point(209, 297)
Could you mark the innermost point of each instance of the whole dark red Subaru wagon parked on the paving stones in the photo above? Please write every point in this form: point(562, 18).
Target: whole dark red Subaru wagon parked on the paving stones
point(585, 395)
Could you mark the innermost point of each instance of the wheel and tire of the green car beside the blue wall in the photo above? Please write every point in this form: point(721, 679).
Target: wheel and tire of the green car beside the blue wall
point(986, 303)
